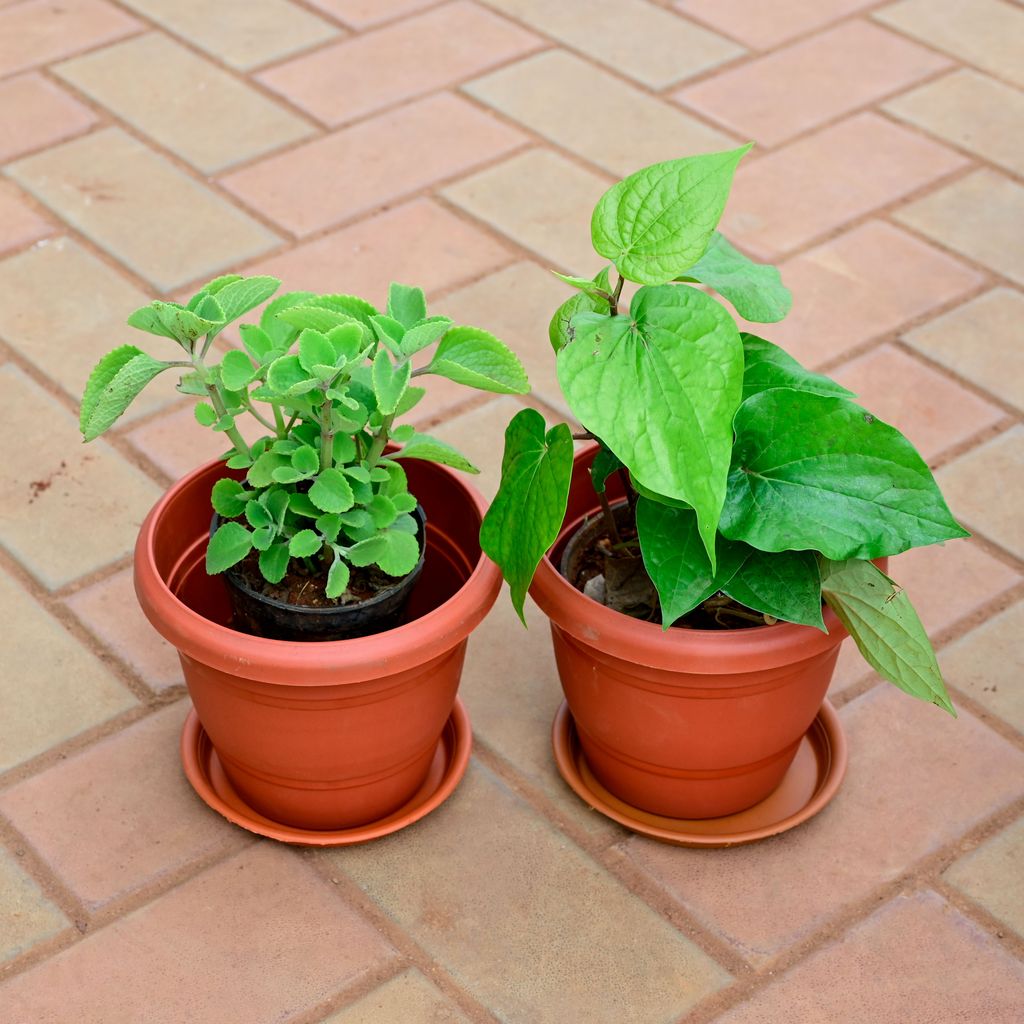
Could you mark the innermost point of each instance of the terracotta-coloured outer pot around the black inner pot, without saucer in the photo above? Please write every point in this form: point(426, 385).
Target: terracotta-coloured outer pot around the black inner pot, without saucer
point(331, 735)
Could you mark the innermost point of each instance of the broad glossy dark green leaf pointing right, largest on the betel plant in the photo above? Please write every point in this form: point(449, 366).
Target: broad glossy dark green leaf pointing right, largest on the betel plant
point(817, 473)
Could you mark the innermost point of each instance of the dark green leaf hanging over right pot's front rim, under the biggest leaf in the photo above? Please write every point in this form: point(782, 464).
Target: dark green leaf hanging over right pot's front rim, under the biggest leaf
point(786, 585)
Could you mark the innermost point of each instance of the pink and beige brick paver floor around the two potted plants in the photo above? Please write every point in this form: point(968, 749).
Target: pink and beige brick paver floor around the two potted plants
point(148, 145)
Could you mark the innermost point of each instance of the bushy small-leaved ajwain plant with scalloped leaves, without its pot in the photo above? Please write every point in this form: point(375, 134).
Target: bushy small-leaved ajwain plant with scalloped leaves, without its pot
point(326, 377)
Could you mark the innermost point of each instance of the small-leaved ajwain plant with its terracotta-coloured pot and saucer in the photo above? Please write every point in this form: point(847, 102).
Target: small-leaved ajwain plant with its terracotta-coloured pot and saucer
point(321, 582)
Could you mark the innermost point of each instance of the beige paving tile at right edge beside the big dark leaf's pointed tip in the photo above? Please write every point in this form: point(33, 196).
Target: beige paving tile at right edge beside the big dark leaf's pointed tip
point(977, 484)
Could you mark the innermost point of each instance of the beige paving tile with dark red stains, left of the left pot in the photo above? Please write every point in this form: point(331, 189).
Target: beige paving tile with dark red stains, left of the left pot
point(56, 485)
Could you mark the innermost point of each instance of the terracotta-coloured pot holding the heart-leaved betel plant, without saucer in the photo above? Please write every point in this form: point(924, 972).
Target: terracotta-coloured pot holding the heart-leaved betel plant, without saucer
point(684, 723)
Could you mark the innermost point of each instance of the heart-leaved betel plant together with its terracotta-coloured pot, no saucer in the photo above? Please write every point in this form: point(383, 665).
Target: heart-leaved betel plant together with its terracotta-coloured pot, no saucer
point(728, 492)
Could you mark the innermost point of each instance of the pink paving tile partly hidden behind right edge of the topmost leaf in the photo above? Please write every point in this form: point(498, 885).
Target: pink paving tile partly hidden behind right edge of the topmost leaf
point(790, 197)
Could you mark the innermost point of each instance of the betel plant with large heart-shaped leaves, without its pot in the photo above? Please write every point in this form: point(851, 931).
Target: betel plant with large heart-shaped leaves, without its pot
point(756, 490)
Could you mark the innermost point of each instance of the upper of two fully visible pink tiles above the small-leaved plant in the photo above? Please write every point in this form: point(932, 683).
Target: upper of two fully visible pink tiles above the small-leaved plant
point(422, 54)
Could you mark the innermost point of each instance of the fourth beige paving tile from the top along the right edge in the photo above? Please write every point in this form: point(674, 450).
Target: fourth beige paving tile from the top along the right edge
point(980, 342)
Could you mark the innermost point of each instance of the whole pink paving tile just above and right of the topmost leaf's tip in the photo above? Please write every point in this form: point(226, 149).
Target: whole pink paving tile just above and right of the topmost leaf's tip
point(785, 94)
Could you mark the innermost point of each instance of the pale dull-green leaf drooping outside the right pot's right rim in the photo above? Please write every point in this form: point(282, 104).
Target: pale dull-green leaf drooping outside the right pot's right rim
point(887, 631)
